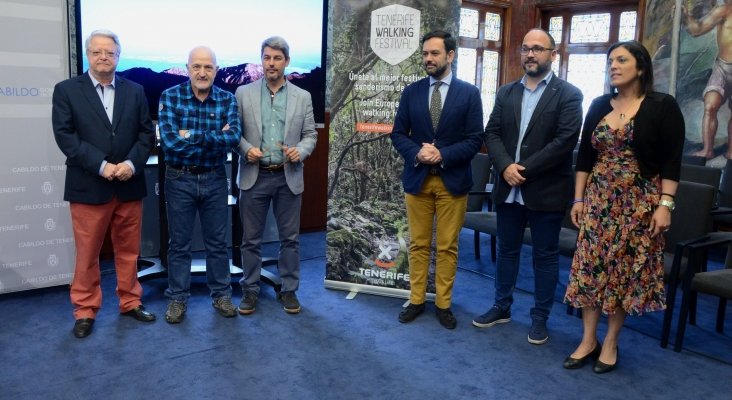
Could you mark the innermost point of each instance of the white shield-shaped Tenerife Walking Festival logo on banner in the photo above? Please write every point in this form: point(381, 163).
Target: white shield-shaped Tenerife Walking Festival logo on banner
point(395, 32)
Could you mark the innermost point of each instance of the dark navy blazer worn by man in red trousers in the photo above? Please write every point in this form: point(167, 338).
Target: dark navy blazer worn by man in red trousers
point(85, 135)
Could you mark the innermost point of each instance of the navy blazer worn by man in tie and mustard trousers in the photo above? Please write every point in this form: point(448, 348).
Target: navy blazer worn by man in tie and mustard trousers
point(458, 136)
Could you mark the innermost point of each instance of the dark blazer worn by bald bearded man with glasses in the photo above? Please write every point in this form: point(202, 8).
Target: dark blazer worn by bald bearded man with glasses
point(546, 149)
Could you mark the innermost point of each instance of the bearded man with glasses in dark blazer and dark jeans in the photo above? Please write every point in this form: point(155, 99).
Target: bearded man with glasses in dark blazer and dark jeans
point(530, 135)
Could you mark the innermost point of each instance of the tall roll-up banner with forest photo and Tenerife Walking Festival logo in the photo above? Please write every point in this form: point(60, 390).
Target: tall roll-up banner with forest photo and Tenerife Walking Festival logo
point(374, 53)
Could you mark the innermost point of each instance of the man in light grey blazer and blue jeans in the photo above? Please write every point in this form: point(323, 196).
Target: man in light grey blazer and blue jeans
point(278, 134)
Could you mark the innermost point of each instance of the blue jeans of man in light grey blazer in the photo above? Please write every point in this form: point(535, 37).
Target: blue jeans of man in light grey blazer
point(253, 207)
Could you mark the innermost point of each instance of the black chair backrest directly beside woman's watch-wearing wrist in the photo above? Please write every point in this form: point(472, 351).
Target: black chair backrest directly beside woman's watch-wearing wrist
point(692, 216)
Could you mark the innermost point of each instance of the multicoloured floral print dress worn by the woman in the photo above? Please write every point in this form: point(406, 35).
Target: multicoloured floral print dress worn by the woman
point(617, 265)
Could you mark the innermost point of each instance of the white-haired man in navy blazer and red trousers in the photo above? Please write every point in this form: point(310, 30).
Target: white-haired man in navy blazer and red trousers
point(102, 124)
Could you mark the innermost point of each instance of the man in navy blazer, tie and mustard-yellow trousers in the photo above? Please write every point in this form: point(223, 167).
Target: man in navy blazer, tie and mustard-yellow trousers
point(437, 129)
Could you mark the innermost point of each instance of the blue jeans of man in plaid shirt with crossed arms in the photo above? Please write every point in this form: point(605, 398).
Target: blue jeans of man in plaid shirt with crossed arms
point(206, 194)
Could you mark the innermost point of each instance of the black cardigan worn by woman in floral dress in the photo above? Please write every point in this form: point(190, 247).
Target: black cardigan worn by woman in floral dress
point(658, 135)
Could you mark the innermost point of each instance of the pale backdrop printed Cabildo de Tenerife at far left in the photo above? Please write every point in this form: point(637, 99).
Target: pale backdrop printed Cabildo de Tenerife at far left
point(36, 238)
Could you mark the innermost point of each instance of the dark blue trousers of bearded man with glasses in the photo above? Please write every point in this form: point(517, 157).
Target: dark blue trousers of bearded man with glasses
point(545, 226)
